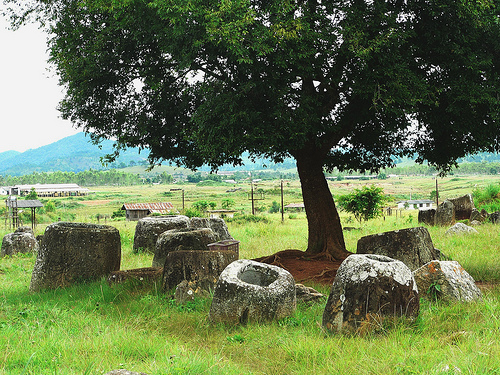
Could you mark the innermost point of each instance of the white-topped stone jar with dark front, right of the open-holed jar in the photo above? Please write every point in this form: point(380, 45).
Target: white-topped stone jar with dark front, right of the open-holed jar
point(367, 289)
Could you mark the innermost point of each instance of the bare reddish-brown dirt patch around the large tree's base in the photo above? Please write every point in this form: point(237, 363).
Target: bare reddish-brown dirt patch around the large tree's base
point(303, 268)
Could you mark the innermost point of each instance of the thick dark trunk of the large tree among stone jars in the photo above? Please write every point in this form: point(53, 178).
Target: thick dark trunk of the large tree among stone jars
point(325, 229)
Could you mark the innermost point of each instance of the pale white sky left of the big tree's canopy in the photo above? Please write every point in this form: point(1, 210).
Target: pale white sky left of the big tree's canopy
point(29, 93)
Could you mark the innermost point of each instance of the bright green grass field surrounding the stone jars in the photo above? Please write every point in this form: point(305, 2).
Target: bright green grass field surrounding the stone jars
point(93, 328)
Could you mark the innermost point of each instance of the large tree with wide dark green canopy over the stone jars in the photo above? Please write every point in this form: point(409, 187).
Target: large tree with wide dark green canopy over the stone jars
point(334, 84)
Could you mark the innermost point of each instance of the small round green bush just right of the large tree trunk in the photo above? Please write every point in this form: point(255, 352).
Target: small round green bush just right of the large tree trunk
point(365, 203)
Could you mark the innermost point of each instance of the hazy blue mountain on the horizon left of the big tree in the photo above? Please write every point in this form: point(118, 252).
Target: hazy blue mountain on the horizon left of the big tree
point(71, 154)
